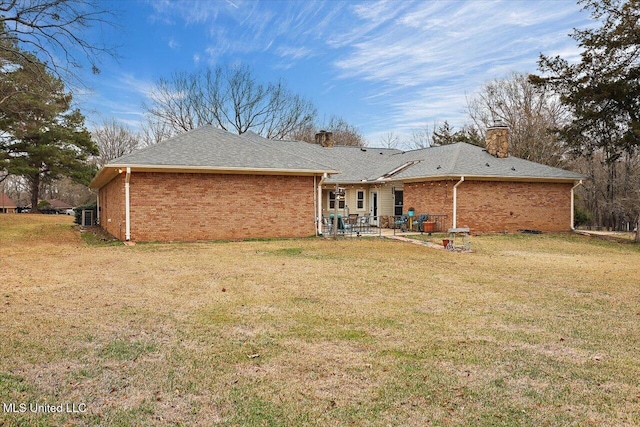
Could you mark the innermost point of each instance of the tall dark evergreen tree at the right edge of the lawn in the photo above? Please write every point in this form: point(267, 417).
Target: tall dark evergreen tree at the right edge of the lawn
point(602, 91)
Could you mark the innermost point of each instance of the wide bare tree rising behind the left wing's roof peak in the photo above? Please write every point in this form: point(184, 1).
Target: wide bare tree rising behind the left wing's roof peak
point(230, 98)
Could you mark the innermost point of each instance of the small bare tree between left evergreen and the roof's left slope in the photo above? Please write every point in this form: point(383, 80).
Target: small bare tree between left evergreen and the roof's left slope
point(114, 140)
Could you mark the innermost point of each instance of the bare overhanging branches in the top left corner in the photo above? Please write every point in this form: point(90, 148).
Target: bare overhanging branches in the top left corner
point(56, 32)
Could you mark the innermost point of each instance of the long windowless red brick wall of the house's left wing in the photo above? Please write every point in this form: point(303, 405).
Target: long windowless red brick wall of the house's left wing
point(190, 207)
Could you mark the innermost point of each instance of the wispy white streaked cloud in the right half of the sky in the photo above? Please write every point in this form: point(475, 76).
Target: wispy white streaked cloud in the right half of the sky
point(425, 59)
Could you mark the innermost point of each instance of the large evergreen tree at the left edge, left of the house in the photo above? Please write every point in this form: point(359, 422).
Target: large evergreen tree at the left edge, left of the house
point(41, 138)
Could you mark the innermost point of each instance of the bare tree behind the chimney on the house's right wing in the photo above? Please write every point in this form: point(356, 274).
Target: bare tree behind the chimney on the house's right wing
point(531, 114)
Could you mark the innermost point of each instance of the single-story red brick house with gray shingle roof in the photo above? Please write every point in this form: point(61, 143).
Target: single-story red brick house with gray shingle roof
point(208, 184)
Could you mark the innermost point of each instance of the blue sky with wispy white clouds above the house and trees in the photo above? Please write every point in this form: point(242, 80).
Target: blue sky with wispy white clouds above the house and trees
point(382, 66)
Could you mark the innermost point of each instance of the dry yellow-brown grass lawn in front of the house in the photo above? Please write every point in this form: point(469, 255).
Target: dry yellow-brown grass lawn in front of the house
point(527, 330)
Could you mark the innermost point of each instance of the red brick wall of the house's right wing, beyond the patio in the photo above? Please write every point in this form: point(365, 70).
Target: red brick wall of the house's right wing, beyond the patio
point(495, 206)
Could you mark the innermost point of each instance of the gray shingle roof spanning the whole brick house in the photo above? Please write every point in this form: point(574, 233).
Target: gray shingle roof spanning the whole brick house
point(210, 148)
